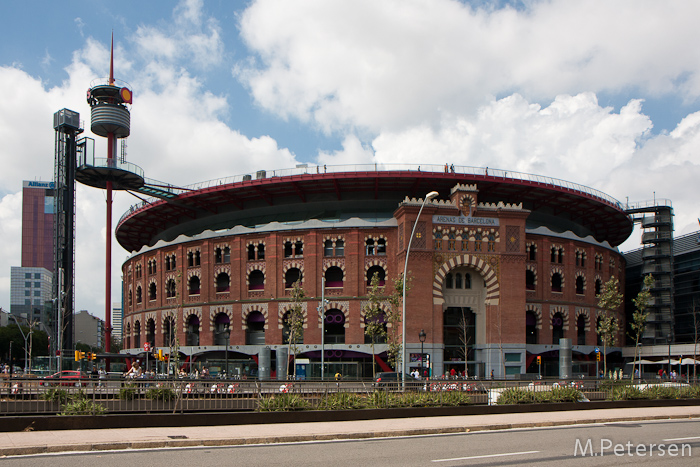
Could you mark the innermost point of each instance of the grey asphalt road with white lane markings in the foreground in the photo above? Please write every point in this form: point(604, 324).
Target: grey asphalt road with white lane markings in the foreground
point(667, 442)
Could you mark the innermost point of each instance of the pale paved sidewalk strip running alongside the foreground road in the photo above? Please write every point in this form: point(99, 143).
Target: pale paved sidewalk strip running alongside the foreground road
point(37, 442)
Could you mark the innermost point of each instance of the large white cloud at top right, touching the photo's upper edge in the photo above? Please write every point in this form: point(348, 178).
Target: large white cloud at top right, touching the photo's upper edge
point(387, 65)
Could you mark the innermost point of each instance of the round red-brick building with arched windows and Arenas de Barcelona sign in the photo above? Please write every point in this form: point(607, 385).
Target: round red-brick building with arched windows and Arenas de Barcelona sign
point(503, 264)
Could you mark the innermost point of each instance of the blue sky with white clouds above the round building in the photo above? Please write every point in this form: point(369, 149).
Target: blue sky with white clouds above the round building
point(604, 94)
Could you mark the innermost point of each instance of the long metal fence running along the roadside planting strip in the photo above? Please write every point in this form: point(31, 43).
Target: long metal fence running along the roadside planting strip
point(25, 396)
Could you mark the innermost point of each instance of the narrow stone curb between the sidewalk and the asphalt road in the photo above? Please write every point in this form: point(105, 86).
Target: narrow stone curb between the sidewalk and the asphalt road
point(183, 443)
